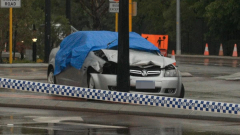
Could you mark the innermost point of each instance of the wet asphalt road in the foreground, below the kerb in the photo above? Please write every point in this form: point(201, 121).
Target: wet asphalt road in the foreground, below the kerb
point(34, 121)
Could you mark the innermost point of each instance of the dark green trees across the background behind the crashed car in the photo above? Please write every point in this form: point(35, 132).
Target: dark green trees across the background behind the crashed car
point(201, 21)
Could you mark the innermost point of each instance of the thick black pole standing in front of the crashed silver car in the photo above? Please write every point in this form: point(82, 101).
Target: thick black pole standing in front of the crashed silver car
point(123, 78)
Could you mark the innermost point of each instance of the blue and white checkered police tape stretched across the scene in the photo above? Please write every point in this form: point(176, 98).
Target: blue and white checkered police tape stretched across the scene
point(123, 97)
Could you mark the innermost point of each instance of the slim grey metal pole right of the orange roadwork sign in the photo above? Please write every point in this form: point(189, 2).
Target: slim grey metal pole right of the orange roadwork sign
point(178, 26)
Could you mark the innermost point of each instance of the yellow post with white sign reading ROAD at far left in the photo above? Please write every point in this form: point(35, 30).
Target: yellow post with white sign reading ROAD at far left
point(10, 4)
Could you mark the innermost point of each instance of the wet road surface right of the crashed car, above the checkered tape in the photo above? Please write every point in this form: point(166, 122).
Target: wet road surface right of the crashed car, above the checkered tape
point(203, 85)
